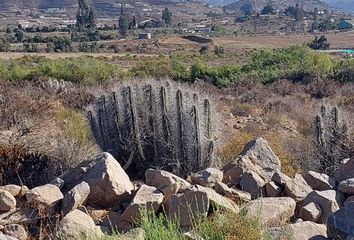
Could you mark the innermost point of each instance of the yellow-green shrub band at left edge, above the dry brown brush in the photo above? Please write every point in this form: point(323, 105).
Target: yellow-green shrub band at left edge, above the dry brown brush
point(80, 70)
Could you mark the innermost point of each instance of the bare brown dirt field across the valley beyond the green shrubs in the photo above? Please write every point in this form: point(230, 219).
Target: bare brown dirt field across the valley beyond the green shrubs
point(232, 44)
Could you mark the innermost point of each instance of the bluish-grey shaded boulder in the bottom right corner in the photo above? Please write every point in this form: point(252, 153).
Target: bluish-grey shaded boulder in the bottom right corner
point(340, 224)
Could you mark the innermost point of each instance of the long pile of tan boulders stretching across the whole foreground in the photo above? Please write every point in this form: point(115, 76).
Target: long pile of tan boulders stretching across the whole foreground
point(97, 197)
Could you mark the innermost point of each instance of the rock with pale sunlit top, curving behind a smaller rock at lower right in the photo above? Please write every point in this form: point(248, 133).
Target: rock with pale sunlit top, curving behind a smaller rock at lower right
point(329, 202)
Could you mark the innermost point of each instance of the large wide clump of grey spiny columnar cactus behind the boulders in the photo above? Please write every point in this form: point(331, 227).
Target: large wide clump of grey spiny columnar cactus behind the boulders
point(160, 125)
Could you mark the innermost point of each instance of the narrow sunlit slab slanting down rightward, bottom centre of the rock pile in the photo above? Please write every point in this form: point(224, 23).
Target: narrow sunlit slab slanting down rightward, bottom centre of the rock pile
point(219, 201)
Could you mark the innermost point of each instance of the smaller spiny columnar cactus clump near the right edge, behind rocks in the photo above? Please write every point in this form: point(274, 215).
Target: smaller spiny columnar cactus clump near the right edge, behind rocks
point(332, 138)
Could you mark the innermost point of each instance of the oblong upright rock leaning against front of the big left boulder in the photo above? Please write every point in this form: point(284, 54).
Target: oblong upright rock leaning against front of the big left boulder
point(76, 197)
